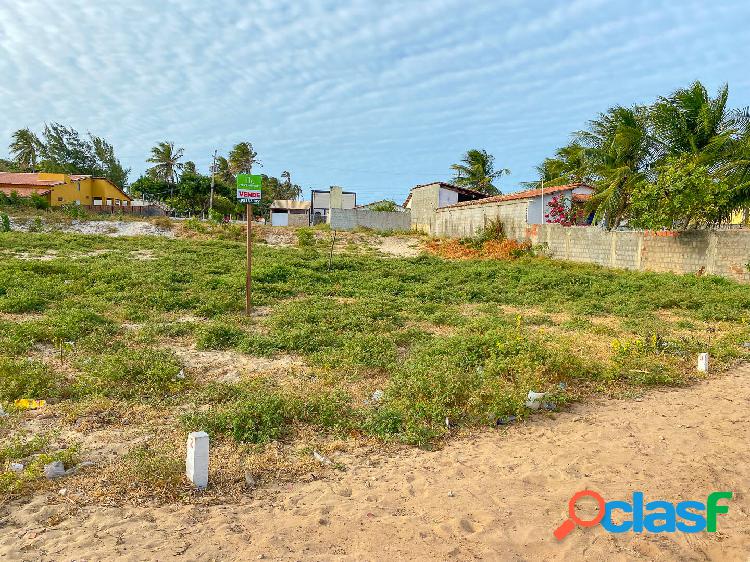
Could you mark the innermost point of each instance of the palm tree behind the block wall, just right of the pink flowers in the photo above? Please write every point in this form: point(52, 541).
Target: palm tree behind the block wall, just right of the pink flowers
point(620, 151)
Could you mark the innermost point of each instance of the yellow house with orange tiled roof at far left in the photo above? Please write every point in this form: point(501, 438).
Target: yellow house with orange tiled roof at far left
point(65, 189)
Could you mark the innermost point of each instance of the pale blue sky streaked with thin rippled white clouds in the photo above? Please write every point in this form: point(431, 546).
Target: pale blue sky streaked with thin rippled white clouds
point(372, 96)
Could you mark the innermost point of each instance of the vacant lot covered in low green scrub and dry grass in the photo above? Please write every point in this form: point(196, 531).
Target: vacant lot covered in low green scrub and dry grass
point(136, 341)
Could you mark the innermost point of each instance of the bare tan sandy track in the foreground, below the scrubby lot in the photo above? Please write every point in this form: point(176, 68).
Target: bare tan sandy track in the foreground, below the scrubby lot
point(497, 495)
